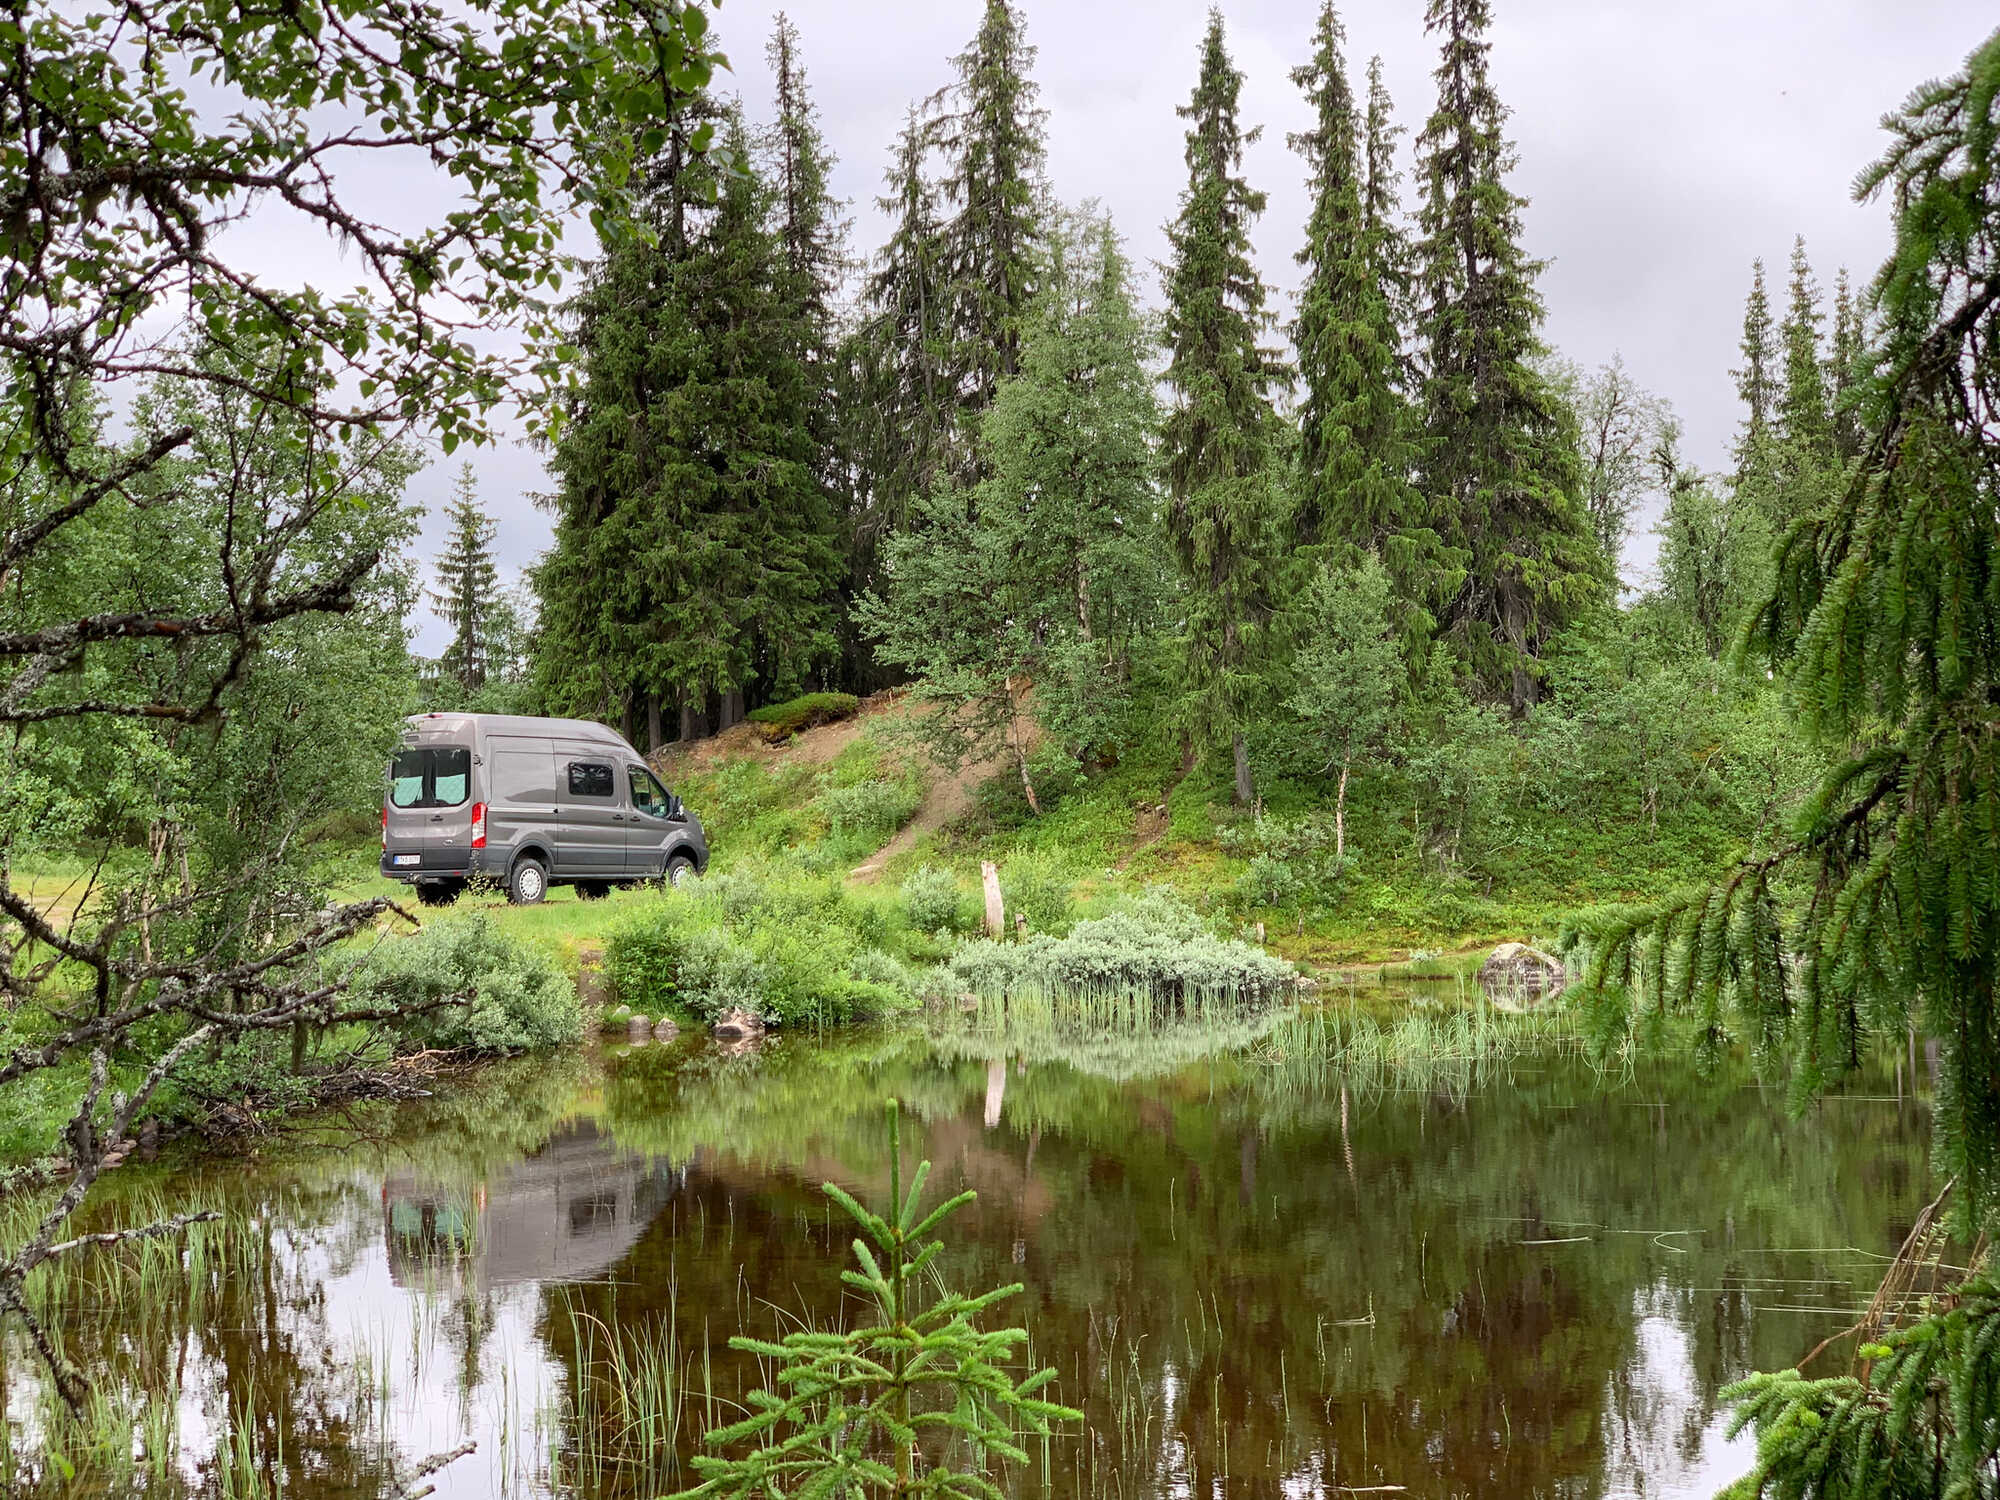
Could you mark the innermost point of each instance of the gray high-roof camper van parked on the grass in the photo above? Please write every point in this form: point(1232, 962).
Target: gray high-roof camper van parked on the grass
point(529, 803)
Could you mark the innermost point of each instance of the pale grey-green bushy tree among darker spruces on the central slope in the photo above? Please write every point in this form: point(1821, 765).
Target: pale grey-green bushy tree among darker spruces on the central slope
point(1053, 569)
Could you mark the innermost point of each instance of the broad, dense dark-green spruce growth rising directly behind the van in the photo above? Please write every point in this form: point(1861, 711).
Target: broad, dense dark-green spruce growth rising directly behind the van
point(695, 545)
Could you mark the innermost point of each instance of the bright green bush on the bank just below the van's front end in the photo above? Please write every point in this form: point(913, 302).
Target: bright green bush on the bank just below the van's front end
point(797, 953)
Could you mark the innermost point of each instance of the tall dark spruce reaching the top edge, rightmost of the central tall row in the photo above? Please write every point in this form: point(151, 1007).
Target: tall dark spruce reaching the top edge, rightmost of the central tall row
point(1499, 461)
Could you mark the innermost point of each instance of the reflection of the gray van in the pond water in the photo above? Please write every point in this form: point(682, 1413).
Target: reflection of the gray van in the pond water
point(565, 1215)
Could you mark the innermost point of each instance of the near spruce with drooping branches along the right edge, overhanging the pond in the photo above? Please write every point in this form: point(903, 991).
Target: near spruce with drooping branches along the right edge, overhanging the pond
point(1881, 915)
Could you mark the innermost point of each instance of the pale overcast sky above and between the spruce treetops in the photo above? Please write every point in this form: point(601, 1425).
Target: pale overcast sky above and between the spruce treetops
point(1663, 149)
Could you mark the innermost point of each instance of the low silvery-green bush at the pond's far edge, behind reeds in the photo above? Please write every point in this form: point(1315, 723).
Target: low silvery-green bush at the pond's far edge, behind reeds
point(1153, 949)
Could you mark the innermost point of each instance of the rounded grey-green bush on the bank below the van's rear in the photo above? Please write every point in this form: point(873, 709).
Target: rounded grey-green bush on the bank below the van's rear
point(503, 995)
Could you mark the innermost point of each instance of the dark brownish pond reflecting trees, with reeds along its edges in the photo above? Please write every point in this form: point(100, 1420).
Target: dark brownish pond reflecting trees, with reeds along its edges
point(1265, 1259)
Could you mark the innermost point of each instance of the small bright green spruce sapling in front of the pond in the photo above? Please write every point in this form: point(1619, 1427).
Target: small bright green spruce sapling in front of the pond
point(879, 1411)
